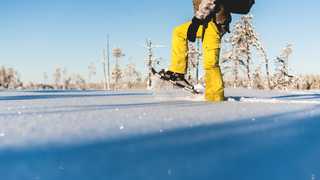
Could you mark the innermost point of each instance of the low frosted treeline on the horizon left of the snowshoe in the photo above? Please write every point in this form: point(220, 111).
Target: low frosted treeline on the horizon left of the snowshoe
point(127, 77)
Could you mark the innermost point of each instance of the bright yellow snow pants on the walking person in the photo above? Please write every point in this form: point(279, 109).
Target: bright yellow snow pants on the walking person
point(214, 91)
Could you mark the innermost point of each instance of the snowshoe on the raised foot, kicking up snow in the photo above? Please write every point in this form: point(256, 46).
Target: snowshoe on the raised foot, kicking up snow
point(176, 79)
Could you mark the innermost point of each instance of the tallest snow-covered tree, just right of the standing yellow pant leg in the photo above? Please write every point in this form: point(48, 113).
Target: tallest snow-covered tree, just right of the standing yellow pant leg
point(242, 40)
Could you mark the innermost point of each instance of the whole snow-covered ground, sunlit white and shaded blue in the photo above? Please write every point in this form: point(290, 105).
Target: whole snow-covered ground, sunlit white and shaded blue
point(159, 135)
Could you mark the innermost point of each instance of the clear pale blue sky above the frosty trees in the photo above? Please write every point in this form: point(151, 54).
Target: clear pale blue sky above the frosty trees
point(37, 36)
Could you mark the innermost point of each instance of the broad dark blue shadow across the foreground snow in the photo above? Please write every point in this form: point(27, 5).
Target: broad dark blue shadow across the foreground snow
point(281, 146)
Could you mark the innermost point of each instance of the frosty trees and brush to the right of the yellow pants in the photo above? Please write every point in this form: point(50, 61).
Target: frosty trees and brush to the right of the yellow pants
point(245, 62)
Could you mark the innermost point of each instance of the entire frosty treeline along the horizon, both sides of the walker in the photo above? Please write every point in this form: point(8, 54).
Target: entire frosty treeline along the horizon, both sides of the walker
point(244, 63)
